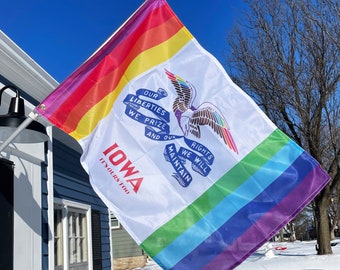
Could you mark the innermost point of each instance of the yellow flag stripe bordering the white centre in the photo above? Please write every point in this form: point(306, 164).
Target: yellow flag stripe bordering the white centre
point(143, 62)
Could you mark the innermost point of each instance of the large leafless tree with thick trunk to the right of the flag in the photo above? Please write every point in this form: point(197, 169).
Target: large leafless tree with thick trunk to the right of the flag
point(286, 54)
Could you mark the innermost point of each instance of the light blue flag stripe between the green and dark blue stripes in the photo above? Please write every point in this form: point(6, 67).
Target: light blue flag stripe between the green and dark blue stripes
point(186, 242)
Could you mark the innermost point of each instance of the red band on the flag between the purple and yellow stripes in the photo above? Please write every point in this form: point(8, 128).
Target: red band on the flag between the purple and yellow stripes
point(115, 64)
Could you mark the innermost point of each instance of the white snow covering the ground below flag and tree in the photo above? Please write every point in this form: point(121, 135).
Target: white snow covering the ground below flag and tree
point(285, 256)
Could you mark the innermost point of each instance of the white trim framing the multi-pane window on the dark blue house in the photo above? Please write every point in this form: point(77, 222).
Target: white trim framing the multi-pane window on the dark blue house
point(65, 205)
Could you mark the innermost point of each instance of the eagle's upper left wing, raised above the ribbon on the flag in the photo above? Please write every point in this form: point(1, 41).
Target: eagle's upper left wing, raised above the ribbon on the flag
point(184, 91)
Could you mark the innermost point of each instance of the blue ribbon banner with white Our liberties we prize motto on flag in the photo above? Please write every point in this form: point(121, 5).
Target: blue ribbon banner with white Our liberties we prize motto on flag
point(157, 128)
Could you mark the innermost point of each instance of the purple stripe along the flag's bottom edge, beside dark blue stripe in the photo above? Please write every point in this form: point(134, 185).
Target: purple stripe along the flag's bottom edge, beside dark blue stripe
point(271, 222)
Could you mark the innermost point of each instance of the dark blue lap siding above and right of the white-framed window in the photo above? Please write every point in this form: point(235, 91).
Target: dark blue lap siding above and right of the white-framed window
point(71, 182)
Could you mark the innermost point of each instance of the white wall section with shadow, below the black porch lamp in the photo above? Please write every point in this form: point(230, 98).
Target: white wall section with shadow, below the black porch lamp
point(27, 204)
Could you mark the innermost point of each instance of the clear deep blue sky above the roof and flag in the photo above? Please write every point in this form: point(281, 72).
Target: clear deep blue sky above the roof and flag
point(61, 34)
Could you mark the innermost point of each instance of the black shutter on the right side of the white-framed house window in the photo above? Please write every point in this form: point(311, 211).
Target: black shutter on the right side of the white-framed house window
point(96, 240)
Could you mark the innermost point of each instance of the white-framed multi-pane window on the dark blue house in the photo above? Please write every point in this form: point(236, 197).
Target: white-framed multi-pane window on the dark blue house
point(72, 237)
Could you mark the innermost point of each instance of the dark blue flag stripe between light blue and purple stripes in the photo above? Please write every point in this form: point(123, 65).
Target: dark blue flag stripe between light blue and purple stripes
point(218, 241)
